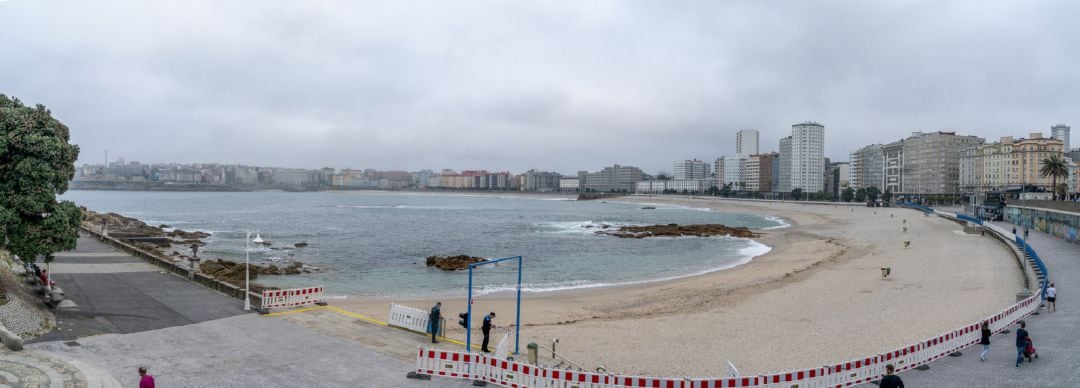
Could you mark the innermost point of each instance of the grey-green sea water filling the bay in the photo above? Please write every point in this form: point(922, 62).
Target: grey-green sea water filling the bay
point(375, 244)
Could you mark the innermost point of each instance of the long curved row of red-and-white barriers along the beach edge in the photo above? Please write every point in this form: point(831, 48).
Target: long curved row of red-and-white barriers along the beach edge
point(495, 370)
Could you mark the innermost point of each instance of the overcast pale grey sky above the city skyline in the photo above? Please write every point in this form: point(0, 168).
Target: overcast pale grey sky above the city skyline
point(515, 85)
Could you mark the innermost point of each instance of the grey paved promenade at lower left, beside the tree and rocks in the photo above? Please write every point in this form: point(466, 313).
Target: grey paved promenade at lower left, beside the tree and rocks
point(130, 314)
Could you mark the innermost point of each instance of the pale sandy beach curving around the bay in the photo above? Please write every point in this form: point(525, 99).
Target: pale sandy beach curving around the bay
point(816, 299)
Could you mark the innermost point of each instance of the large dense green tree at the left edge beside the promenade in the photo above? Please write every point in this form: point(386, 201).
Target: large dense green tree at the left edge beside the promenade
point(36, 165)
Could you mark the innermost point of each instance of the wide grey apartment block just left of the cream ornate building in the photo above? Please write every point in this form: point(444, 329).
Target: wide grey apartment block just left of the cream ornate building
point(933, 163)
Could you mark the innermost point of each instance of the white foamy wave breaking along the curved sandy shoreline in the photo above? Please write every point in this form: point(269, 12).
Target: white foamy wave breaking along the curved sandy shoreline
point(747, 255)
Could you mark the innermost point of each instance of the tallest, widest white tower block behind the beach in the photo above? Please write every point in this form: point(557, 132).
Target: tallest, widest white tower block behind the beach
point(808, 157)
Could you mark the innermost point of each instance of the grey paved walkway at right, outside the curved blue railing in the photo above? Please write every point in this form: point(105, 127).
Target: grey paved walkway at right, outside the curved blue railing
point(1056, 336)
